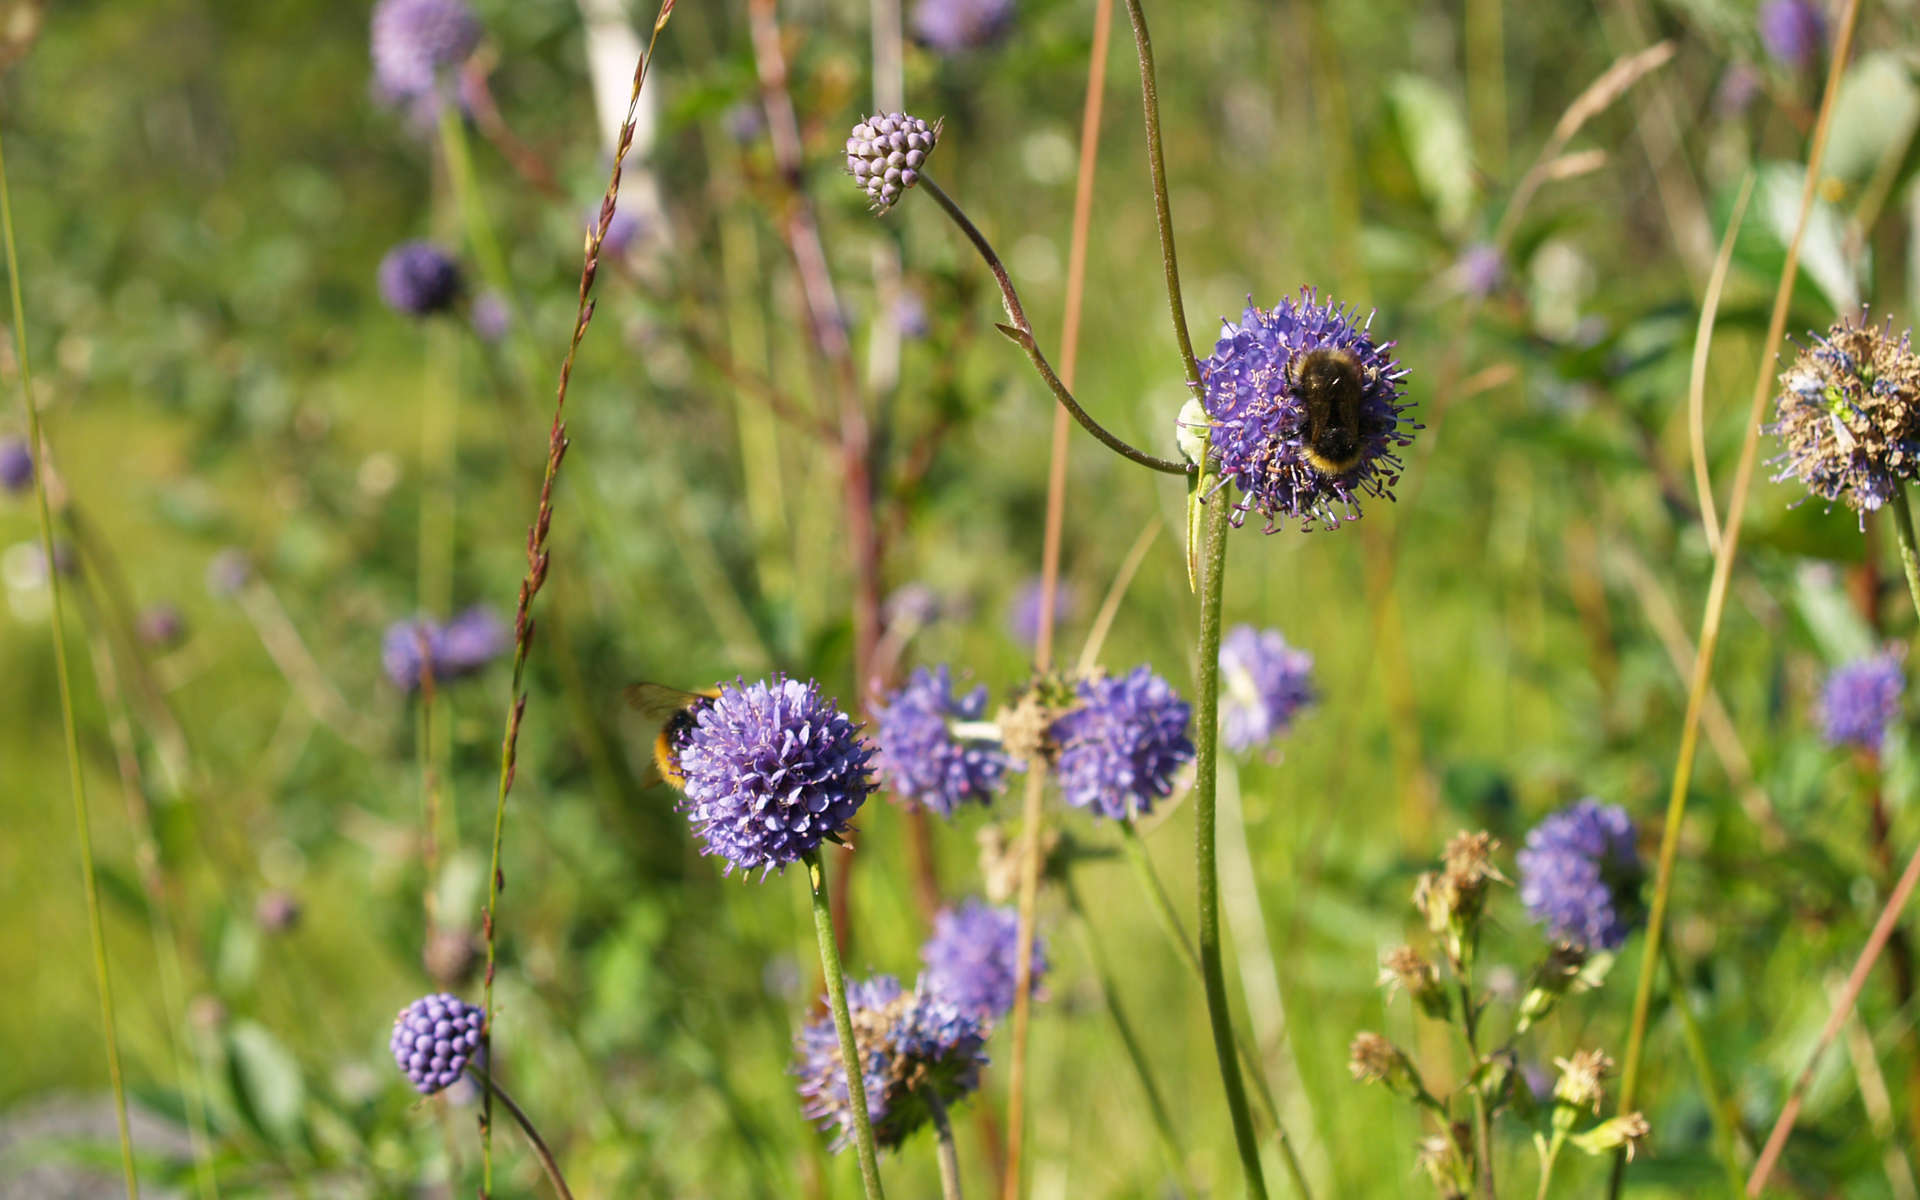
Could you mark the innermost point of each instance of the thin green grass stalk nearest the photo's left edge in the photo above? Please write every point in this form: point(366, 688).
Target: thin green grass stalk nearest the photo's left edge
point(76, 779)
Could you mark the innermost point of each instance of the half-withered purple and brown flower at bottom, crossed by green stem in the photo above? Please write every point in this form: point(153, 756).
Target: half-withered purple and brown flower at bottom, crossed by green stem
point(909, 1042)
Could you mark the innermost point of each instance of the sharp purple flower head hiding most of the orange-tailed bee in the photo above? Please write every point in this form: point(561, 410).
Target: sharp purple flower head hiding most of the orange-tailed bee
point(773, 771)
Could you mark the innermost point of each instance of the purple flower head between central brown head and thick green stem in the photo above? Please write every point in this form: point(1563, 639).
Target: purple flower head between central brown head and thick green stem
point(1120, 748)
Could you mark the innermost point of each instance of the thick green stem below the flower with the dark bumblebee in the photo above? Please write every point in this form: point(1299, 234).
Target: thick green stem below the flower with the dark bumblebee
point(1207, 750)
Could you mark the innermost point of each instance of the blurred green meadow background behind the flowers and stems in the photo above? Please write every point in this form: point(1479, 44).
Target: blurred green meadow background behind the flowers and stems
point(203, 195)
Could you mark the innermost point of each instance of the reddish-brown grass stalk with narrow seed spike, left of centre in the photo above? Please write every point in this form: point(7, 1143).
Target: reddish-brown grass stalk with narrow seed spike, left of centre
point(537, 571)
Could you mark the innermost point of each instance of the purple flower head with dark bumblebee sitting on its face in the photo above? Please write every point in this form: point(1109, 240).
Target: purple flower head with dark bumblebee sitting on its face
point(1307, 414)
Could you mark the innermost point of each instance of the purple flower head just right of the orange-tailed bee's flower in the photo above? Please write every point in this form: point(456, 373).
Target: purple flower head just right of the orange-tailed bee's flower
point(921, 759)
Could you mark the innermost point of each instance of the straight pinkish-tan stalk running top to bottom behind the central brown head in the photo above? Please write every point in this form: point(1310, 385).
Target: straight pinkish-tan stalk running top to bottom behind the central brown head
point(1044, 652)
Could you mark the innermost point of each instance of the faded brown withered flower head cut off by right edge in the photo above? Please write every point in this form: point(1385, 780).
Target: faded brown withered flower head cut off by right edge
point(1850, 416)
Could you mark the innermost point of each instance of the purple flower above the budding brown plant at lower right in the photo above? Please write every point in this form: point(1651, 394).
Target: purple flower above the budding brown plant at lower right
point(1581, 875)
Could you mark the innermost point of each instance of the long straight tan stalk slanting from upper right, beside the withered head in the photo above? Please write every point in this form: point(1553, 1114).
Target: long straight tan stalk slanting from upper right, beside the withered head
point(1723, 569)
